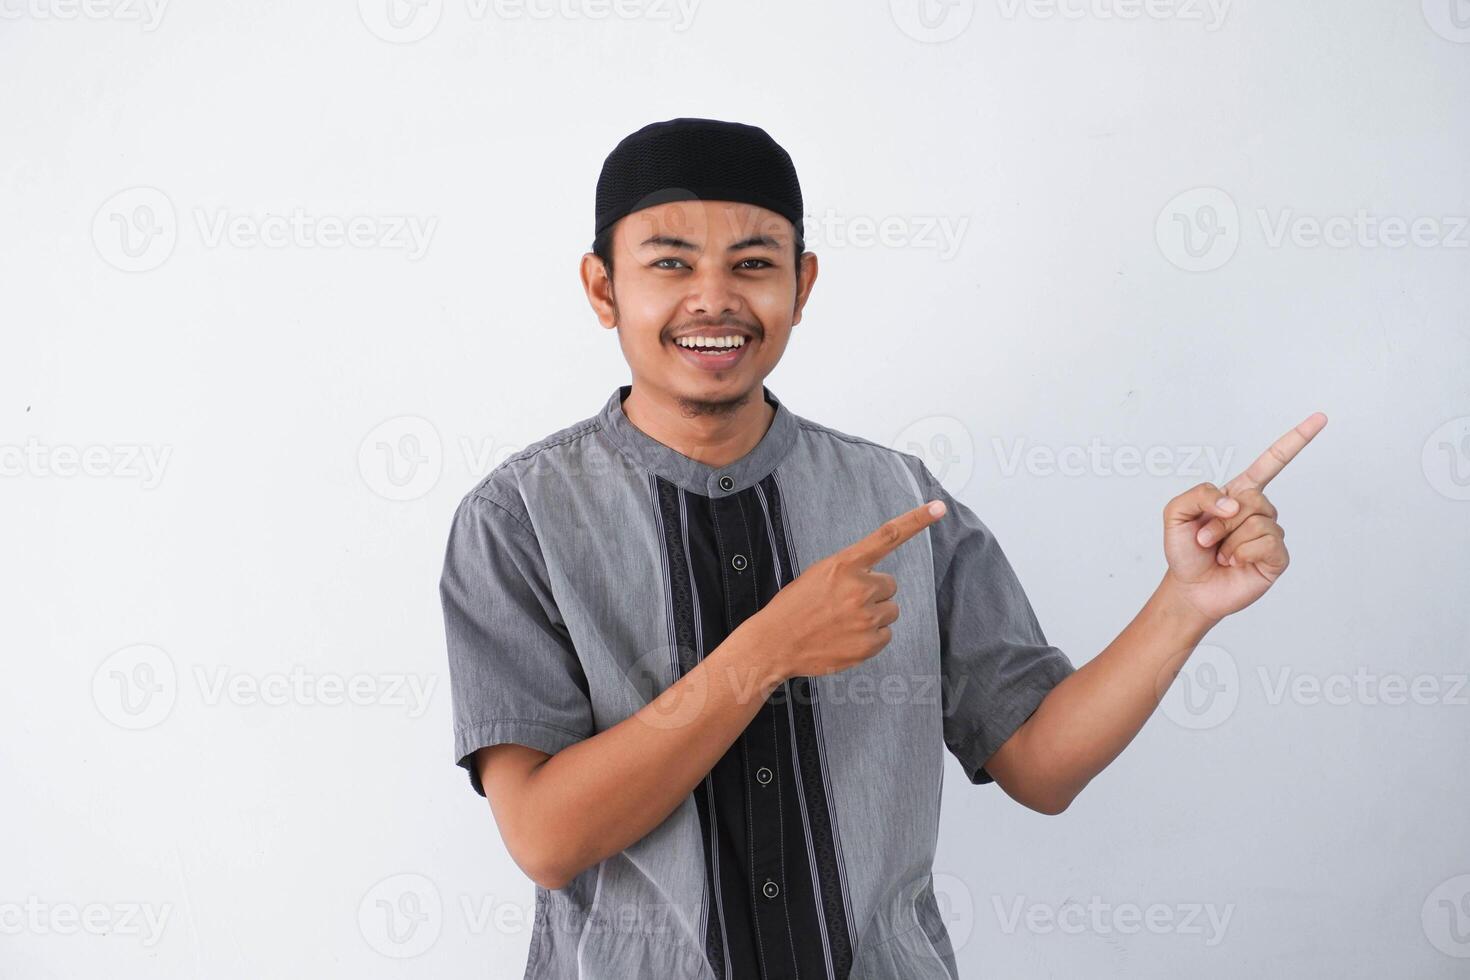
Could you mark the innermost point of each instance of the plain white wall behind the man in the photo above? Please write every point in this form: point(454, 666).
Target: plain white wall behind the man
point(314, 412)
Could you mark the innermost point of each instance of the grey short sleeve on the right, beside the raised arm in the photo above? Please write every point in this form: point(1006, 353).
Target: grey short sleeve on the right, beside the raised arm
point(996, 662)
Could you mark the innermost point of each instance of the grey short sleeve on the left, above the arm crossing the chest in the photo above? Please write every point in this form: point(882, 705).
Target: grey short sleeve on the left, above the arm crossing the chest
point(514, 672)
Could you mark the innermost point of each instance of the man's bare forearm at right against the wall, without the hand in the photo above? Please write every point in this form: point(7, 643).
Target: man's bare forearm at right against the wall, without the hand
point(1089, 719)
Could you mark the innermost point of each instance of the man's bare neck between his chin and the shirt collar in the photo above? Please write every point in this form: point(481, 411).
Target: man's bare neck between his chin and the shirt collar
point(714, 433)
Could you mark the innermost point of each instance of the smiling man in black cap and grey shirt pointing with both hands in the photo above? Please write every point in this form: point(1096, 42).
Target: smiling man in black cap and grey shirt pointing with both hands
point(705, 652)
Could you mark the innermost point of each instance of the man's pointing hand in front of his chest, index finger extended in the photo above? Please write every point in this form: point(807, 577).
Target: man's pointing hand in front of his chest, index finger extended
point(837, 613)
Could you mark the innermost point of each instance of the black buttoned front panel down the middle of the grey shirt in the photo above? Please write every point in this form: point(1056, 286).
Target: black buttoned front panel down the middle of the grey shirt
point(765, 920)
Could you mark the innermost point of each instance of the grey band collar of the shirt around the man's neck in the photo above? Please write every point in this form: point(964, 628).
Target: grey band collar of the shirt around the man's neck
point(690, 474)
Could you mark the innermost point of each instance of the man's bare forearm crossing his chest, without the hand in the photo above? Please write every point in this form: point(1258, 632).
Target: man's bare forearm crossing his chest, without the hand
point(606, 793)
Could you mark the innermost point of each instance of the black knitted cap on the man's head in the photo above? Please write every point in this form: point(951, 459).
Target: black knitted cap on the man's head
point(698, 159)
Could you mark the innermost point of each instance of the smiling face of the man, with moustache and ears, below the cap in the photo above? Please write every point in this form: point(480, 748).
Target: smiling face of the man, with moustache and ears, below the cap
point(703, 298)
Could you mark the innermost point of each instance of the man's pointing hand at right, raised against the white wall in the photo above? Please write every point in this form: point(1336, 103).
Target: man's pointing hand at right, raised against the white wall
point(1224, 546)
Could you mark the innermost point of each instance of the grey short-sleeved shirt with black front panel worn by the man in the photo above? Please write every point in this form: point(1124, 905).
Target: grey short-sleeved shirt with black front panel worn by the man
point(589, 572)
